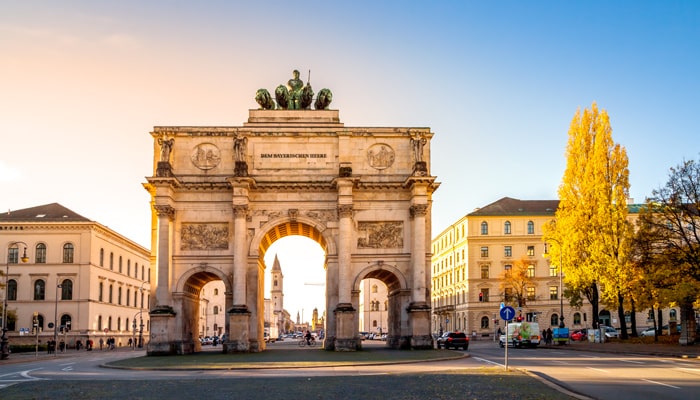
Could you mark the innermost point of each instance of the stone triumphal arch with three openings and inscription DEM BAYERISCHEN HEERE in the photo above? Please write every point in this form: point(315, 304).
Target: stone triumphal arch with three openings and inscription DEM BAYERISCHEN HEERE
point(222, 195)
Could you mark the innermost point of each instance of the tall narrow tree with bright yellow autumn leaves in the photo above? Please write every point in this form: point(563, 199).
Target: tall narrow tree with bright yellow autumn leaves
point(590, 230)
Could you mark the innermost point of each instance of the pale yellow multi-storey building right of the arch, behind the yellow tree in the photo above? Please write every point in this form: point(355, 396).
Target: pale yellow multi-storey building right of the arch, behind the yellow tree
point(471, 256)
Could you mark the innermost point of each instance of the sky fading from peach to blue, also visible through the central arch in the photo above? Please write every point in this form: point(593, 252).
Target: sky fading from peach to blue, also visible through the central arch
point(82, 83)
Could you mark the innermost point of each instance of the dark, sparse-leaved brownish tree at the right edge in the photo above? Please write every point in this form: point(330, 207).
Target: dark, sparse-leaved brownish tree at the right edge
point(673, 219)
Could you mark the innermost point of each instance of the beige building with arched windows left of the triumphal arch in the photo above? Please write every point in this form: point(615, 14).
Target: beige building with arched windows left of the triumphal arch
point(89, 280)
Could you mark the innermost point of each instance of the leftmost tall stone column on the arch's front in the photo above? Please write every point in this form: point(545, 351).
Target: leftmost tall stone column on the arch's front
point(163, 262)
